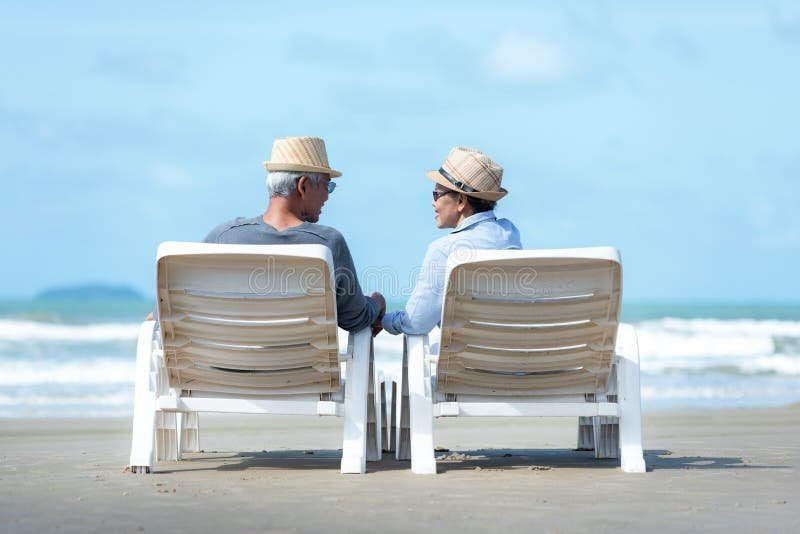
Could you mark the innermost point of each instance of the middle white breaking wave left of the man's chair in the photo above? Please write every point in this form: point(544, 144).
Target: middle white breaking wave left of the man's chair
point(99, 371)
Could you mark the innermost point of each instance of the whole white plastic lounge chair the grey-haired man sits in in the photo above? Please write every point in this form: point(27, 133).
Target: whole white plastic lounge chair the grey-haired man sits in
point(248, 329)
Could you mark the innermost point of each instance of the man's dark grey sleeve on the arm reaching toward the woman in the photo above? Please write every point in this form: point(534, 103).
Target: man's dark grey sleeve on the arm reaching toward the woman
point(354, 310)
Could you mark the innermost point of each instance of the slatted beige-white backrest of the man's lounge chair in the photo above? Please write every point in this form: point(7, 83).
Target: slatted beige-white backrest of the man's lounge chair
point(248, 319)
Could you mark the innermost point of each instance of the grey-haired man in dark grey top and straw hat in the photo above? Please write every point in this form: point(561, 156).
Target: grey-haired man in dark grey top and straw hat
point(299, 183)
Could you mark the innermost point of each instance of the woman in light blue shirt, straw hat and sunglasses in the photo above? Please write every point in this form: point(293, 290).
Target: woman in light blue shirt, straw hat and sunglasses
point(467, 189)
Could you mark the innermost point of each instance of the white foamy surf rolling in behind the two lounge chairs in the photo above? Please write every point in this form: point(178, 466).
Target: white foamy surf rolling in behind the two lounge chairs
point(47, 366)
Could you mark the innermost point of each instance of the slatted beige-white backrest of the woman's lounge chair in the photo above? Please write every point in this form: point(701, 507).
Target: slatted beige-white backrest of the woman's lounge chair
point(529, 322)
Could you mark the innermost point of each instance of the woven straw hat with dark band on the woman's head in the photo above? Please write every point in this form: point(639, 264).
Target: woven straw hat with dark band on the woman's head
point(472, 173)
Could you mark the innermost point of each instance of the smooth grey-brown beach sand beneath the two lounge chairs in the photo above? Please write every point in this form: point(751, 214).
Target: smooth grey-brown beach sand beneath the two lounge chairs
point(715, 471)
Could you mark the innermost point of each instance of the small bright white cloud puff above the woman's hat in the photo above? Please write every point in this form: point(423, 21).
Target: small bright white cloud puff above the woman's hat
point(520, 58)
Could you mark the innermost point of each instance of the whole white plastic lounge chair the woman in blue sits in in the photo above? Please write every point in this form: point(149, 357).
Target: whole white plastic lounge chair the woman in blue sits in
point(527, 333)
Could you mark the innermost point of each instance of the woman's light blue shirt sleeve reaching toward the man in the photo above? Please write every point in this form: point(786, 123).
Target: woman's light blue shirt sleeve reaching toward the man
point(424, 308)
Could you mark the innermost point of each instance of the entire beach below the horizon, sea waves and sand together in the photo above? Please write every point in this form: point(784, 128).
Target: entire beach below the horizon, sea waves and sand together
point(721, 426)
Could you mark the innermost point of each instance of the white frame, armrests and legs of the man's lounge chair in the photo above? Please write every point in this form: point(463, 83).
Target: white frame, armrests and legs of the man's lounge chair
point(165, 422)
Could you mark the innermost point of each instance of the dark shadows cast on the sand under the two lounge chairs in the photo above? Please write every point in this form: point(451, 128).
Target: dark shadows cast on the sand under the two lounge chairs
point(489, 459)
